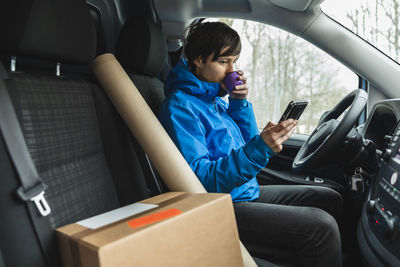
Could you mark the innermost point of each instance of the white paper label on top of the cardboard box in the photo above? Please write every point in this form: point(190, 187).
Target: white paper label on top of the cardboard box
point(115, 215)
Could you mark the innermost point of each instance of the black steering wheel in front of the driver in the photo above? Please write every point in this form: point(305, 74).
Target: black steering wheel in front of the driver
point(330, 133)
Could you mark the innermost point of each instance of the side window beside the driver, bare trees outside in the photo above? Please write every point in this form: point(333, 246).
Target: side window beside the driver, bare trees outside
point(281, 67)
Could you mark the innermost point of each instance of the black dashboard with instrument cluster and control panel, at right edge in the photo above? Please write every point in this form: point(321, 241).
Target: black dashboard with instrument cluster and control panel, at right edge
point(379, 227)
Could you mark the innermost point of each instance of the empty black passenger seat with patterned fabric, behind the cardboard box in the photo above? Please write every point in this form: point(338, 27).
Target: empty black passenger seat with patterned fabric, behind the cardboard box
point(79, 145)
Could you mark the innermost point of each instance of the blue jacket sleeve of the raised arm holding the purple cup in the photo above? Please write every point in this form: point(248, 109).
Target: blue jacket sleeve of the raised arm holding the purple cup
point(241, 111)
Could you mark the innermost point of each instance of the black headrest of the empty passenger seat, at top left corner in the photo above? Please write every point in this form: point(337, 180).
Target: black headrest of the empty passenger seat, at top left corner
point(59, 30)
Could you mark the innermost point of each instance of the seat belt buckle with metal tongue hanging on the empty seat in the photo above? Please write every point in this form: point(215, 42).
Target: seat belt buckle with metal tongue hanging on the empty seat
point(36, 195)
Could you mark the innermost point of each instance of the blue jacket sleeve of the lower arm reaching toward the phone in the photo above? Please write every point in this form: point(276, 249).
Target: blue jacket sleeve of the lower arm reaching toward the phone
point(225, 173)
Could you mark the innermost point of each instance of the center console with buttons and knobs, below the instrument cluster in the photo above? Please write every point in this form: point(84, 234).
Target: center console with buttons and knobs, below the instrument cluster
point(379, 228)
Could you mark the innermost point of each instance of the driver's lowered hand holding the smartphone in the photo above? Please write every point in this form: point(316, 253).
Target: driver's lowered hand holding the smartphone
point(274, 135)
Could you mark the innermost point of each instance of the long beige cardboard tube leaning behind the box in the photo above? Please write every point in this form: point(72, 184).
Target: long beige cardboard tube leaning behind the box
point(144, 125)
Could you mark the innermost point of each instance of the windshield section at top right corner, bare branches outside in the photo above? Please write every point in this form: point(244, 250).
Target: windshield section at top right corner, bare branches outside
point(376, 21)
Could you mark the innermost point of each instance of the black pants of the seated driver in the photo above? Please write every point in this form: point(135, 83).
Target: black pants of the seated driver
point(297, 220)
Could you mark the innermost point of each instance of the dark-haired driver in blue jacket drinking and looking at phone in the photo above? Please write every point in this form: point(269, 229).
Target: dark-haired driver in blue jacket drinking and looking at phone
point(222, 144)
